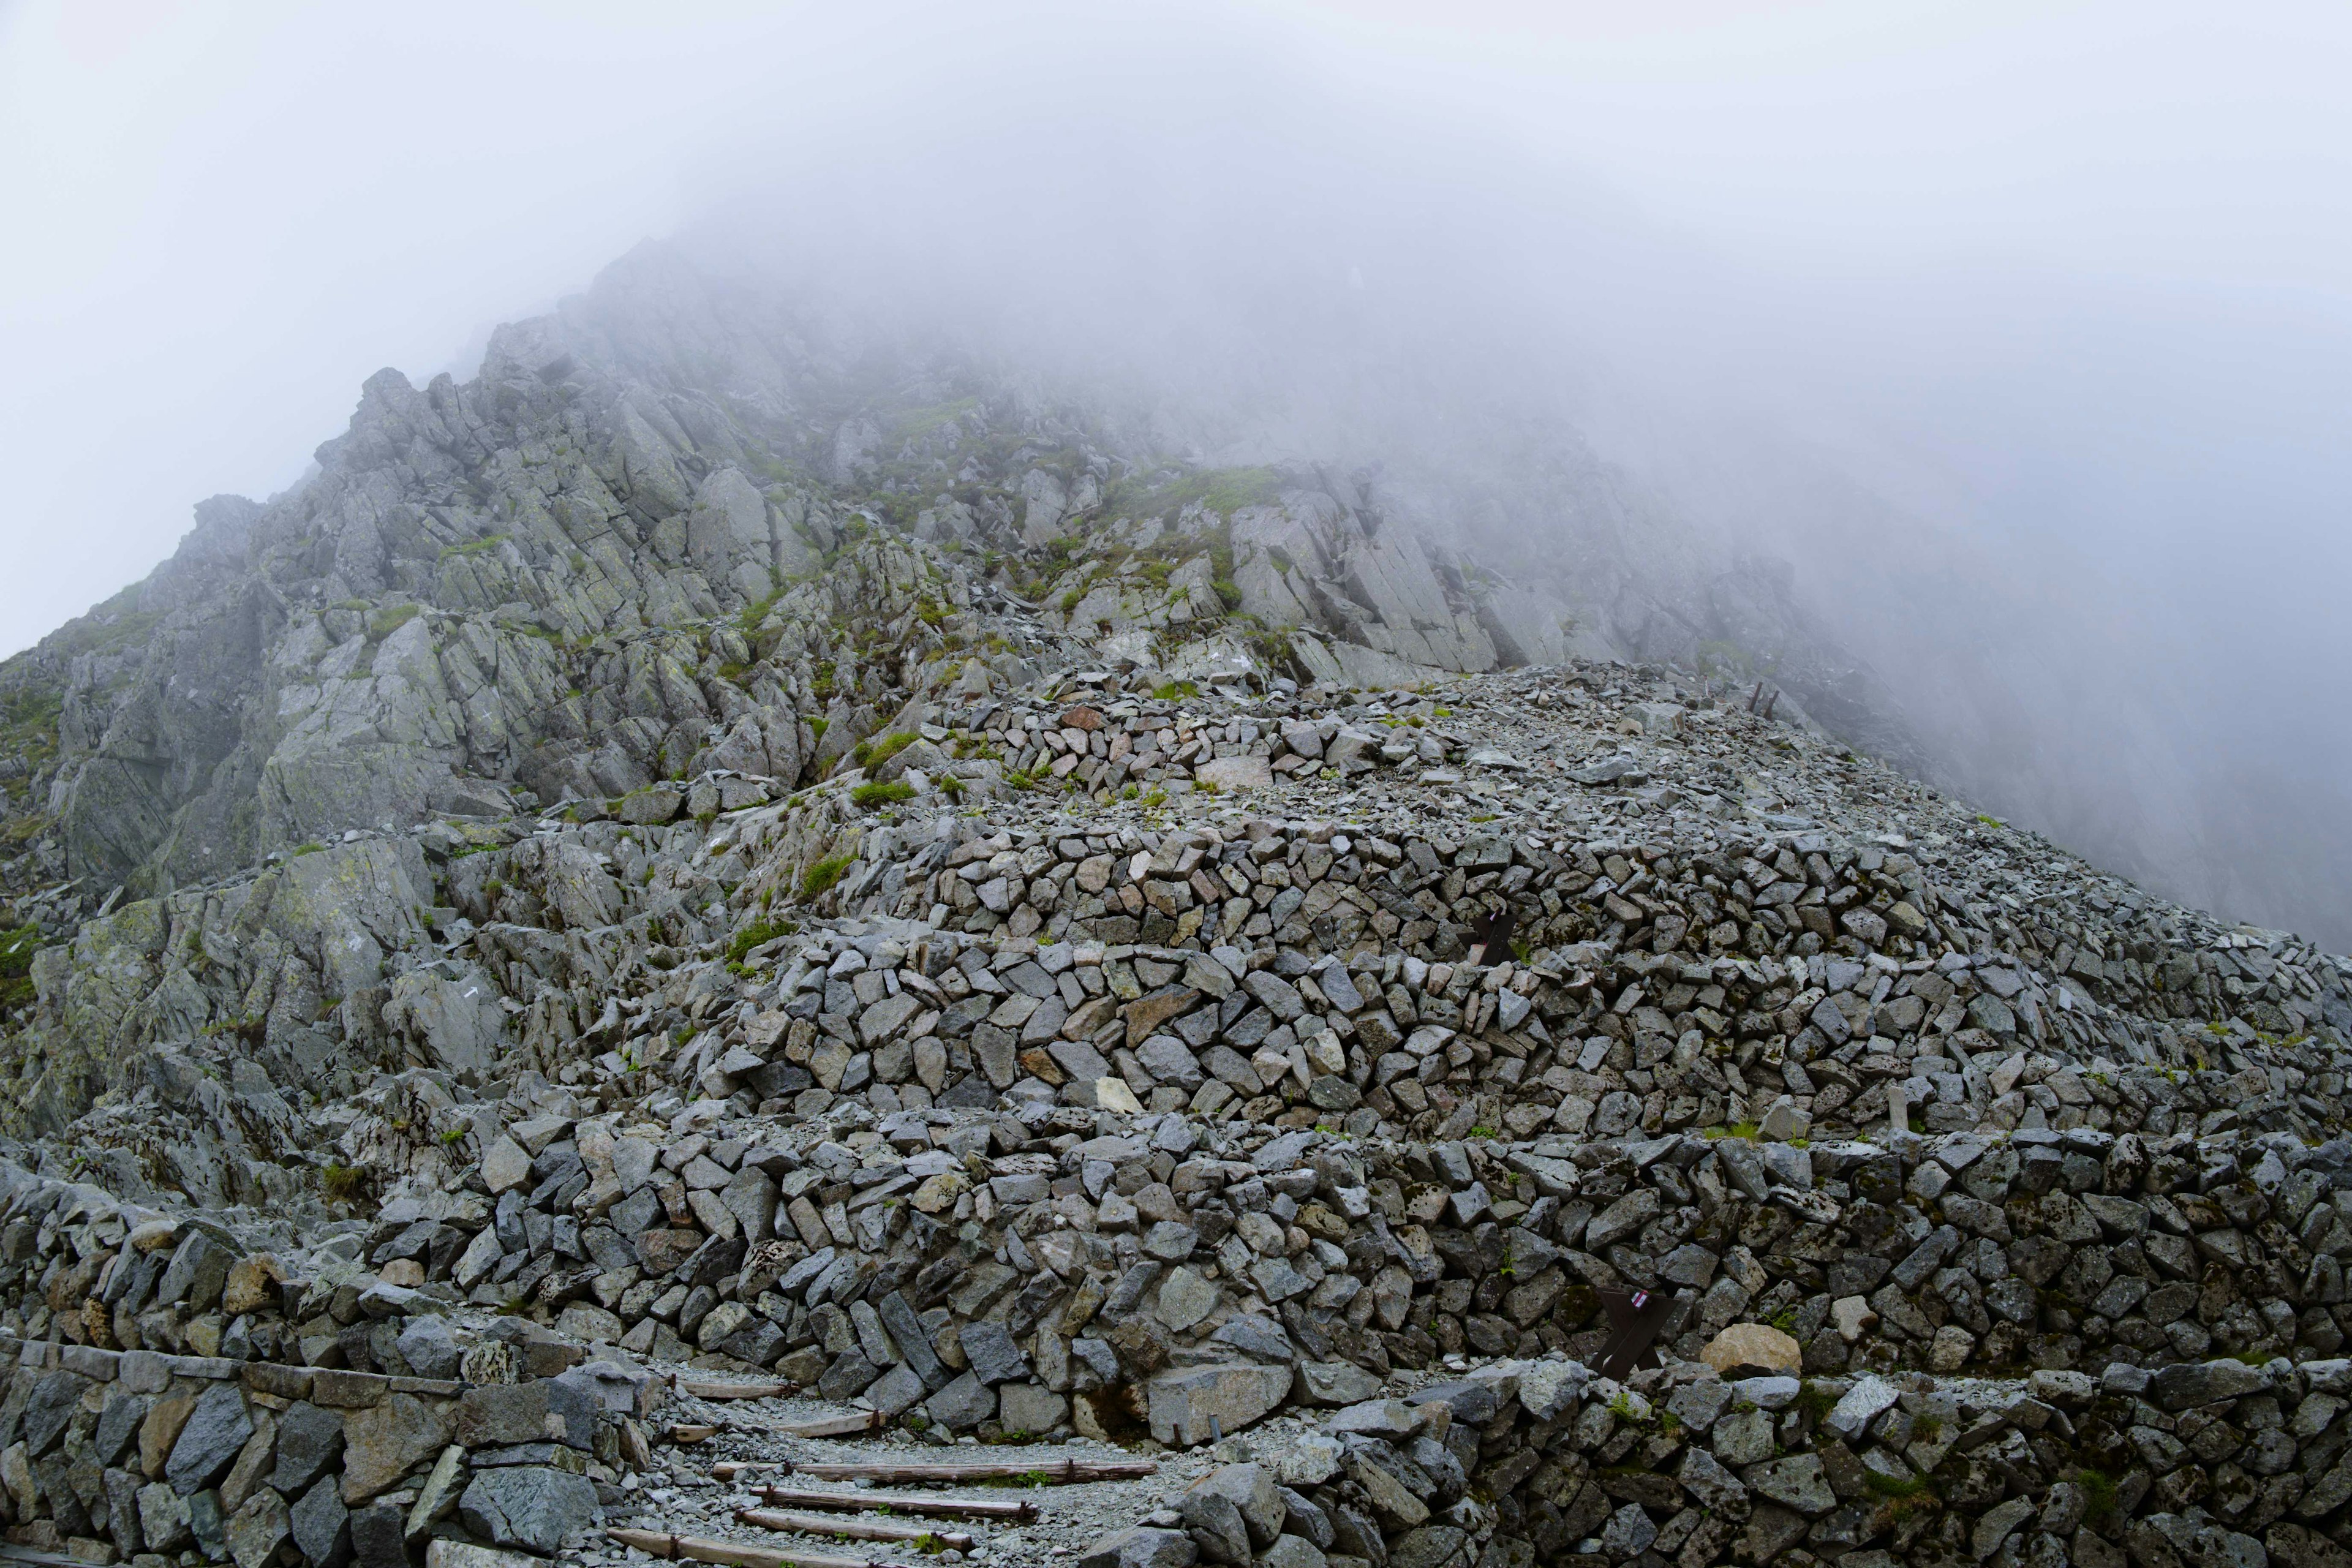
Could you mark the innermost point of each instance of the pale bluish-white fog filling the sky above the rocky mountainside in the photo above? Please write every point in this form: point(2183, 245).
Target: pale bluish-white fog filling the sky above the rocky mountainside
point(2019, 330)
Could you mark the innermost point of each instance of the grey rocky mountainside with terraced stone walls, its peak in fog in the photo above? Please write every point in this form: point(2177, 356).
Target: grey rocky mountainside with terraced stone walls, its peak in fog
point(704, 864)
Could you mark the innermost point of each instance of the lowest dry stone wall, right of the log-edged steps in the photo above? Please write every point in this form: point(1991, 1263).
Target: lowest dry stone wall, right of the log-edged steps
point(2198, 1466)
